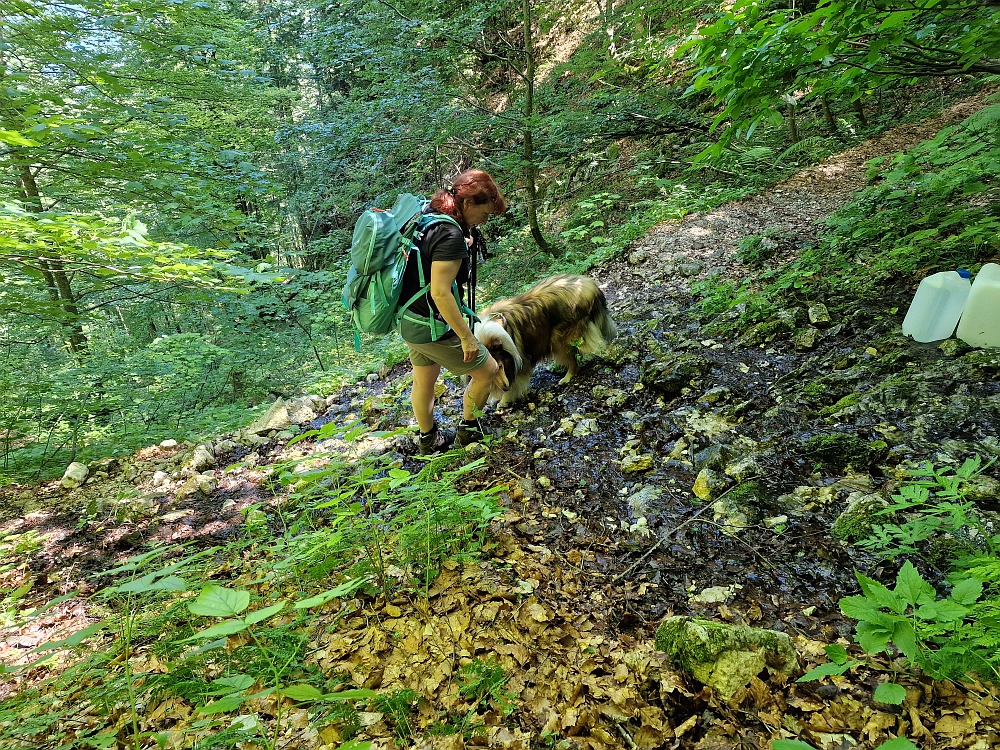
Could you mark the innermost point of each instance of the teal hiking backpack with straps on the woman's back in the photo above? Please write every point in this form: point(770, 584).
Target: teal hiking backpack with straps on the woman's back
point(381, 247)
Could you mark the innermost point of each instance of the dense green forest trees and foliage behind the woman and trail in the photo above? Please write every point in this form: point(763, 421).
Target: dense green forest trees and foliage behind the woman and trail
point(179, 180)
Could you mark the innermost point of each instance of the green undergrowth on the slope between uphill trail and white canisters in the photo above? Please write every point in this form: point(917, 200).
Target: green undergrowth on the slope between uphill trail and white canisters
point(932, 208)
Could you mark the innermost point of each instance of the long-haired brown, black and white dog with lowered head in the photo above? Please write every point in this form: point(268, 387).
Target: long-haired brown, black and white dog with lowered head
point(555, 319)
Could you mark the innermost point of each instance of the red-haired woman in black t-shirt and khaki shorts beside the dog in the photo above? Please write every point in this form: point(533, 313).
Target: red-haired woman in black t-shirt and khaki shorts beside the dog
point(433, 326)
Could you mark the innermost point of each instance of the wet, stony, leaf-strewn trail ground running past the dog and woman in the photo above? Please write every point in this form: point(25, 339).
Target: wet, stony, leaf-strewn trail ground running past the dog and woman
point(682, 474)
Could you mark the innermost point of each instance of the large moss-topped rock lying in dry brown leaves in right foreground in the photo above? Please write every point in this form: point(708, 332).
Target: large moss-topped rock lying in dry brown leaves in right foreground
point(725, 657)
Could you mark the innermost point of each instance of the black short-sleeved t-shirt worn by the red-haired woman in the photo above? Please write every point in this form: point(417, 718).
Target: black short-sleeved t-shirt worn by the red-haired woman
point(441, 241)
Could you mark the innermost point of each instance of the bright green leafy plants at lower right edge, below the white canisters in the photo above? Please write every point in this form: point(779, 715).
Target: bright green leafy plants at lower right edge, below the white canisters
point(943, 623)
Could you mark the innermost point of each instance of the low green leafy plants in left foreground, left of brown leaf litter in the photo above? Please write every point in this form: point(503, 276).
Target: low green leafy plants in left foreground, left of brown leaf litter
point(221, 629)
